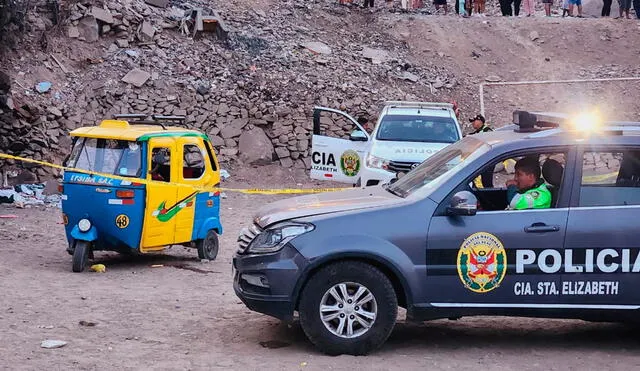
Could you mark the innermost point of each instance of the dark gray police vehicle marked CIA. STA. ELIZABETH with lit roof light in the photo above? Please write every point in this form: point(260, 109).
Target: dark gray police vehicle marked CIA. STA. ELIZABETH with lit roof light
point(435, 244)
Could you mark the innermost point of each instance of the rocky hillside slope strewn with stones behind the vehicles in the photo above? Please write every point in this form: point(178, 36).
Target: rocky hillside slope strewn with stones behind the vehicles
point(251, 77)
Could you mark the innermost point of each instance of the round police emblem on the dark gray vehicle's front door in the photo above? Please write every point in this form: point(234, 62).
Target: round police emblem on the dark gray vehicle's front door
point(482, 262)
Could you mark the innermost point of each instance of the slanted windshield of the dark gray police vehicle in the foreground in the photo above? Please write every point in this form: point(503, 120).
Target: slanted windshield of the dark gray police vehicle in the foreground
point(440, 166)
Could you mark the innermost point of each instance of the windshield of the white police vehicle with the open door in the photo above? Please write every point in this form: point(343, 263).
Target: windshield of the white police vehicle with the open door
point(407, 128)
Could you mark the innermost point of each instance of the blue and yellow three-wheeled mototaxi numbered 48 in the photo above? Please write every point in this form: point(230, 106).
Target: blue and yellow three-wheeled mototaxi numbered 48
point(138, 186)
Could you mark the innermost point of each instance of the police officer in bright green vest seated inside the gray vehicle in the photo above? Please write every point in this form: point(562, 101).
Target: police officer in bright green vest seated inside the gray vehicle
point(527, 190)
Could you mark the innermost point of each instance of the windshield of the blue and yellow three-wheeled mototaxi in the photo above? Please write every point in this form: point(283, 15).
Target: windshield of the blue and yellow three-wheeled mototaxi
point(110, 156)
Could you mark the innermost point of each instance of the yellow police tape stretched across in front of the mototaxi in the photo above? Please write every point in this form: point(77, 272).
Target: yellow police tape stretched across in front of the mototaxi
point(199, 188)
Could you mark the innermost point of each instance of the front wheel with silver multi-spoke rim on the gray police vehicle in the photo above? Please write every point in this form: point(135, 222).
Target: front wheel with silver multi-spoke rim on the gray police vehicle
point(348, 308)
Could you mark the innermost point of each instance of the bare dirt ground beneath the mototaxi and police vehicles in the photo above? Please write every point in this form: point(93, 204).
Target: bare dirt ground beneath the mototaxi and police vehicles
point(185, 315)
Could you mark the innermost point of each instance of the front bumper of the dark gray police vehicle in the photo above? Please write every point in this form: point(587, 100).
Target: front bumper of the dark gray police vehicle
point(266, 282)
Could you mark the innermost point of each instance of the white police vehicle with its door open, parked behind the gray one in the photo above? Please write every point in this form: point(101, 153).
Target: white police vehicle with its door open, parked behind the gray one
point(406, 134)
